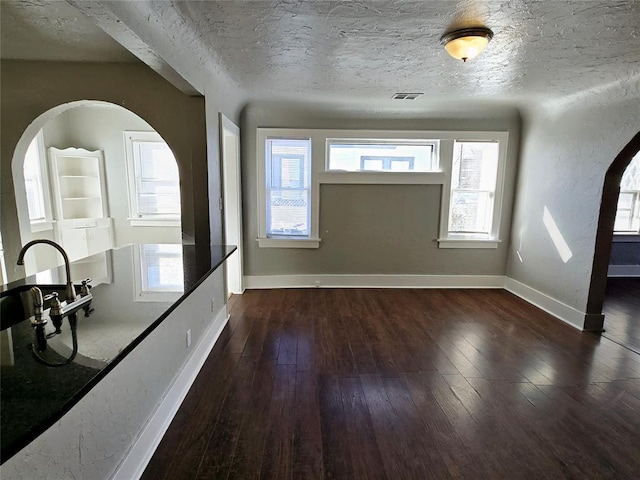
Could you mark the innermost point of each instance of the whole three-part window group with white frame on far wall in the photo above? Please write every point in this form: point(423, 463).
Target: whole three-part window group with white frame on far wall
point(292, 164)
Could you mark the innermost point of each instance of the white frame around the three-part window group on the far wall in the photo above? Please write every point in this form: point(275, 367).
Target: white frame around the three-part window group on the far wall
point(444, 141)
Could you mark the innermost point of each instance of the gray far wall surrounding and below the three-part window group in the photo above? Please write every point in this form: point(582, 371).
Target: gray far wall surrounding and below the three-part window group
point(374, 229)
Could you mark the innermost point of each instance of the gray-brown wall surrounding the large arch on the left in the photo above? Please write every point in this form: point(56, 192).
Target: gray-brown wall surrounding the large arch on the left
point(34, 92)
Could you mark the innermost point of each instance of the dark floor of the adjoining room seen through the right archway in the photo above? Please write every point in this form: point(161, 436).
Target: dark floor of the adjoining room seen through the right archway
point(622, 312)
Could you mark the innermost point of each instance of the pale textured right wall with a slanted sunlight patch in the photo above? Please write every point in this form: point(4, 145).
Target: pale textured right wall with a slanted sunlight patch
point(566, 151)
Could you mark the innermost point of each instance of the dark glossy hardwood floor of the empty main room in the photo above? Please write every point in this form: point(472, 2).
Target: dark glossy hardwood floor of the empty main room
point(404, 384)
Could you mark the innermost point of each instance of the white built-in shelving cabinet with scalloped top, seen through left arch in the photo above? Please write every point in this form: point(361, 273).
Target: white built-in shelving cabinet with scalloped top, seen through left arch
point(82, 226)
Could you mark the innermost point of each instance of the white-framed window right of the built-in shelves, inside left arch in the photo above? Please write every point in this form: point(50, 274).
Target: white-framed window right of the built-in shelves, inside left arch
point(154, 181)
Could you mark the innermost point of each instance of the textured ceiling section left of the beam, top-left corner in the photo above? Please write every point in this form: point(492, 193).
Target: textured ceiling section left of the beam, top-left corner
point(54, 30)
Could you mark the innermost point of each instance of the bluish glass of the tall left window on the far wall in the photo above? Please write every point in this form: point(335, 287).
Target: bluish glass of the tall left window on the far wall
point(288, 180)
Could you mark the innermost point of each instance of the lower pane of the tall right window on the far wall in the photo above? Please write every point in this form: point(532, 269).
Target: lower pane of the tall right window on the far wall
point(470, 212)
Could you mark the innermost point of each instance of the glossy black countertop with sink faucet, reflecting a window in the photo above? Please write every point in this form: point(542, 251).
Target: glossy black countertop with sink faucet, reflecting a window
point(134, 289)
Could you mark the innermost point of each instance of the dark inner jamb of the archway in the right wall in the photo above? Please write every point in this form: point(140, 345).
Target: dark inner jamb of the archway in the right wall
point(604, 235)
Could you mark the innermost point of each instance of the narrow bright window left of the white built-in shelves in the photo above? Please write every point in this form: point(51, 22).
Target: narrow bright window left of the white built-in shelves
point(36, 185)
